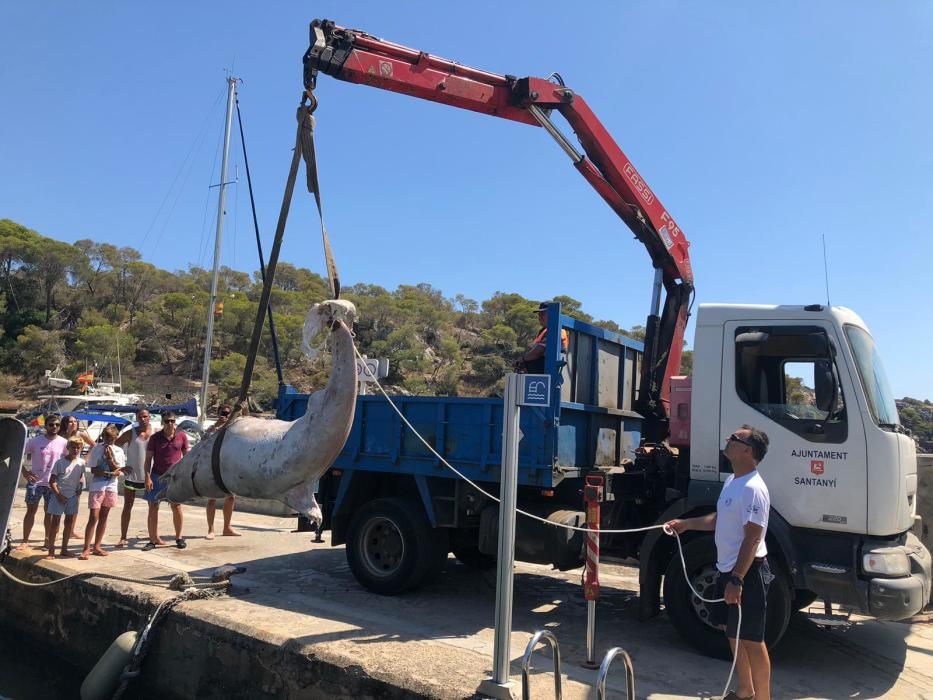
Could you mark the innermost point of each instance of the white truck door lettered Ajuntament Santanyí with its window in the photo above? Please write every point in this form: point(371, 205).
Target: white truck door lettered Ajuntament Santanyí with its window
point(784, 377)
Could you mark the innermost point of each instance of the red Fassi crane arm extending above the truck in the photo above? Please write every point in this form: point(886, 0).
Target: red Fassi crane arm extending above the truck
point(357, 57)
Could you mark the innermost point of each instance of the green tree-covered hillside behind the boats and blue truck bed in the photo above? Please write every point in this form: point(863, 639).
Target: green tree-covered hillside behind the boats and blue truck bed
point(94, 305)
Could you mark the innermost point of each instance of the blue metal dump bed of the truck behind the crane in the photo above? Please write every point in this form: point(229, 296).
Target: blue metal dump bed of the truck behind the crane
point(590, 422)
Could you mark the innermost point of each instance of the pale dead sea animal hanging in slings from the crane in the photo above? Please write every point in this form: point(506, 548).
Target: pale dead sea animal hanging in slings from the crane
point(275, 459)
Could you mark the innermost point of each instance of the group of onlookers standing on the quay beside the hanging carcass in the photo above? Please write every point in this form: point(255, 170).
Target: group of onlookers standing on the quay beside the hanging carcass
point(141, 455)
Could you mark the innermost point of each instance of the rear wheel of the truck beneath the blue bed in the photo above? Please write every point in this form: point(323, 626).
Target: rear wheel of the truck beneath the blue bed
point(391, 546)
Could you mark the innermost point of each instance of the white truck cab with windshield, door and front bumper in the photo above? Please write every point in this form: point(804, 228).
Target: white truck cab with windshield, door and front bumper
point(841, 470)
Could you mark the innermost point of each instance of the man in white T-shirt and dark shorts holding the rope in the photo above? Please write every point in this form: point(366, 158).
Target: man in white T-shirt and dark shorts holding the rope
point(741, 523)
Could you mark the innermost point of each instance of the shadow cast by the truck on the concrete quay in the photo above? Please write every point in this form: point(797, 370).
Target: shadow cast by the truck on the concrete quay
point(458, 607)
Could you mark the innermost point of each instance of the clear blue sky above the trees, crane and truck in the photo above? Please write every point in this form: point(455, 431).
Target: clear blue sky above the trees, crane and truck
point(762, 127)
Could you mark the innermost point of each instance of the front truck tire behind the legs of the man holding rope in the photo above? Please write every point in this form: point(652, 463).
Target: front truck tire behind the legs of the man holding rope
point(690, 616)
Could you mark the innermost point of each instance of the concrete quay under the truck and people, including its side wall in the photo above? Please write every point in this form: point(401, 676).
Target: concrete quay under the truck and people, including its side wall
point(297, 625)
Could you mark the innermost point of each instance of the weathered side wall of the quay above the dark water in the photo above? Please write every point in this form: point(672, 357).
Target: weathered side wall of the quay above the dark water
point(194, 652)
